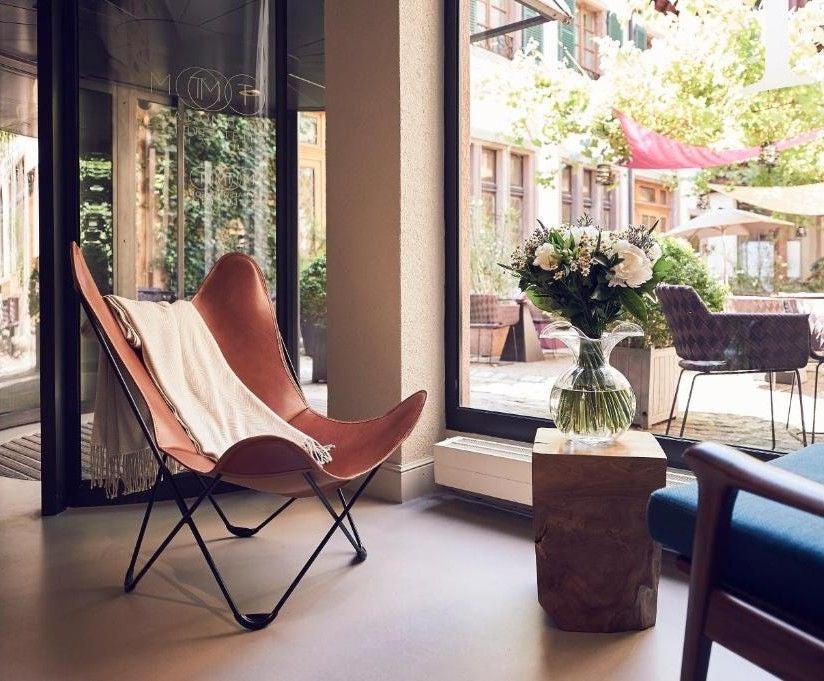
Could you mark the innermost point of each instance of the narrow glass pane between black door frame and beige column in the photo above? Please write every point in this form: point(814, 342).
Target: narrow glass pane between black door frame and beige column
point(312, 255)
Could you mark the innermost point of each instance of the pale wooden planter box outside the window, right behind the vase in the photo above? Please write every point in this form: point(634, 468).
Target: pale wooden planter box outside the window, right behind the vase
point(653, 374)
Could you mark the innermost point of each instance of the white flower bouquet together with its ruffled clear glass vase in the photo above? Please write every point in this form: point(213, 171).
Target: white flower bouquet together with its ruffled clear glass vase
point(591, 278)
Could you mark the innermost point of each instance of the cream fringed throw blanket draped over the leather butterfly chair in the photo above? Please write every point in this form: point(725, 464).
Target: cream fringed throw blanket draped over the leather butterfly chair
point(213, 405)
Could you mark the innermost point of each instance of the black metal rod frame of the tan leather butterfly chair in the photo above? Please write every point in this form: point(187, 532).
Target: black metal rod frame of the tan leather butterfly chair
point(250, 621)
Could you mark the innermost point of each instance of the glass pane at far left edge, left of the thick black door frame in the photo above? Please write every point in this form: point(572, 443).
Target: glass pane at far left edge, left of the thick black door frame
point(19, 230)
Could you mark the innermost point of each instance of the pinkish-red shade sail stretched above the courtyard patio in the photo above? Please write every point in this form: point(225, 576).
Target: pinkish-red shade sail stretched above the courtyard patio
point(651, 150)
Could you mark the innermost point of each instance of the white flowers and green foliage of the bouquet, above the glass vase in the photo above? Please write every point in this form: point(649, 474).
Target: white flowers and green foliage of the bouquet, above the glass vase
point(589, 276)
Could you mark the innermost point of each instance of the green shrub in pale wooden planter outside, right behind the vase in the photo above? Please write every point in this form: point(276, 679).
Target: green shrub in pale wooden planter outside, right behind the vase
point(650, 362)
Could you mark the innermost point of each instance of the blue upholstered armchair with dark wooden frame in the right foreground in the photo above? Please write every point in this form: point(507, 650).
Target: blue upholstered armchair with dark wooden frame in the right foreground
point(751, 536)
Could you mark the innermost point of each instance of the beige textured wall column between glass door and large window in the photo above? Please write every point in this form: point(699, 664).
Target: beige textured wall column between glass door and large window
point(384, 104)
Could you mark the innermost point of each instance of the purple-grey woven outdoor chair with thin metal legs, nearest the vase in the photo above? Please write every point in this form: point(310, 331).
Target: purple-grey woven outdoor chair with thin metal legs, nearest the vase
point(719, 343)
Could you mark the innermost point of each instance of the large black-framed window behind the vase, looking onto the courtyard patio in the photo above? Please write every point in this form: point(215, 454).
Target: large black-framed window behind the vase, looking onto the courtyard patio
point(537, 137)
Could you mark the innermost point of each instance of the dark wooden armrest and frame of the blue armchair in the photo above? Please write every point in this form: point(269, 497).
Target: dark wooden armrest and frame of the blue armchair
point(715, 612)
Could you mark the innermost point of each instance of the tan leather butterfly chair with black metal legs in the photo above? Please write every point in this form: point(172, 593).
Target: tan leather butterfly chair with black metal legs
point(236, 307)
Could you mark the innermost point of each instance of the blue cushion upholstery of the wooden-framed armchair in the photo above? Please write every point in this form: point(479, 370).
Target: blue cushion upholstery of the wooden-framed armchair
point(775, 553)
